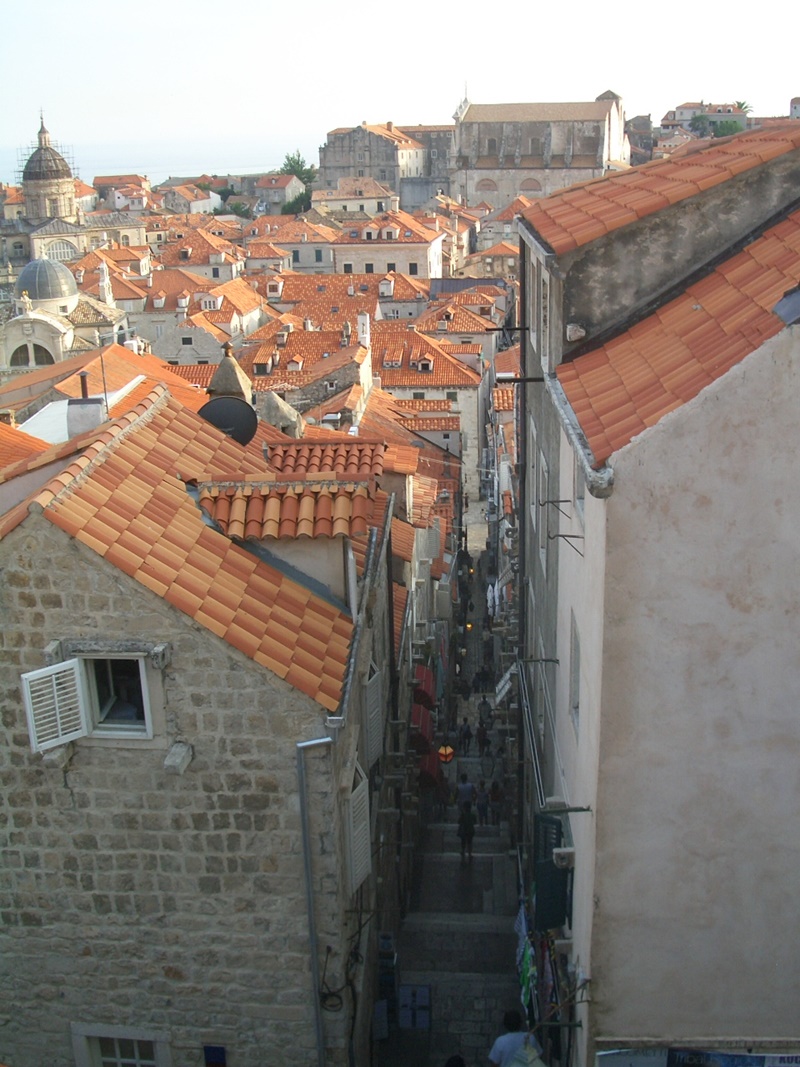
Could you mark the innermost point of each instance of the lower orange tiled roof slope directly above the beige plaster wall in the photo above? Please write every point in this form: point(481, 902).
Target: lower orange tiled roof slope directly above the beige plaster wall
point(632, 383)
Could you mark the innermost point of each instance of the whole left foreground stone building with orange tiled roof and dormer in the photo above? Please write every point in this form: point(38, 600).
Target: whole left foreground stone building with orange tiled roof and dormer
point(195, 712)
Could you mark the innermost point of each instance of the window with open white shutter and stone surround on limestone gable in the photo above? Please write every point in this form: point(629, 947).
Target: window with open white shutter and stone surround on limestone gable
point(102, 696)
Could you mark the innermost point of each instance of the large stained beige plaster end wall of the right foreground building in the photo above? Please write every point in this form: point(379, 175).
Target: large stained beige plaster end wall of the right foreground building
point(698, 837)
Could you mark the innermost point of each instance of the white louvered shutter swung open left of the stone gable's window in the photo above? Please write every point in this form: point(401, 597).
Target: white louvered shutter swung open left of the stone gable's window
point(57, 705)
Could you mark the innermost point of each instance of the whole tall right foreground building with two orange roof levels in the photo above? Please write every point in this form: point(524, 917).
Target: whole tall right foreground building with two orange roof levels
point(659, 682)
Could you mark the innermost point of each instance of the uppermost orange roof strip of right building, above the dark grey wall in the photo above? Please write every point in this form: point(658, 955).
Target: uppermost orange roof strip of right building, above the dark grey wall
point(584, 213)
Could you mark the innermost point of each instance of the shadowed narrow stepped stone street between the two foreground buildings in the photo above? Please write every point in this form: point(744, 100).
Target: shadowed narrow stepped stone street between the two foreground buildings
point(456, 950)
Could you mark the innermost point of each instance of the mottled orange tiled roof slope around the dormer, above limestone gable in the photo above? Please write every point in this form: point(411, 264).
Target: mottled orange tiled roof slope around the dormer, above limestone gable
point(123, 501)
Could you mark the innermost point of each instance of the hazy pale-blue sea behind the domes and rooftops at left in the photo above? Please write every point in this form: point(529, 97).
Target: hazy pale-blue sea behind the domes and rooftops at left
point(159, 162)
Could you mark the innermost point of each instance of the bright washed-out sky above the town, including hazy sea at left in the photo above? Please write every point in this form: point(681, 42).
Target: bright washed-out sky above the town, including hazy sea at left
point(166, 88)
